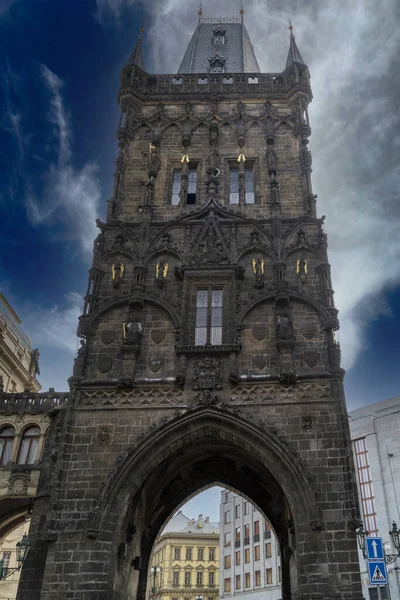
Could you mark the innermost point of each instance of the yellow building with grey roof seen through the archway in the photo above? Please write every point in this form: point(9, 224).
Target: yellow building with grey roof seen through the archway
point(185, 563)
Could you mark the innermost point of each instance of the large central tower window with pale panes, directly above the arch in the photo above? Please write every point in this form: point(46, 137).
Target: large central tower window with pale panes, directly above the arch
point(209, 320)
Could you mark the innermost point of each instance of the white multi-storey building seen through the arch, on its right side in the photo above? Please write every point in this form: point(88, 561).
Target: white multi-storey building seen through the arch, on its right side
point(249, 552)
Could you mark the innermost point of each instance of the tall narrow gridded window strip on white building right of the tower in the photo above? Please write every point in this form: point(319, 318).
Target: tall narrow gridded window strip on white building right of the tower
point(365, 481)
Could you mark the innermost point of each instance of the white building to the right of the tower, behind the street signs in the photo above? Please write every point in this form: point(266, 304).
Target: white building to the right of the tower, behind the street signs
point(375, 432)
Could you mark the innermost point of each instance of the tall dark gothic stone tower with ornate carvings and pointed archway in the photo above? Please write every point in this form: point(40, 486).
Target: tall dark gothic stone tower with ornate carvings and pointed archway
point(208, 352)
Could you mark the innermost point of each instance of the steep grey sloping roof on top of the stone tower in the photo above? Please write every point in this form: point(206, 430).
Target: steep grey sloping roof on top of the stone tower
point(236, 52)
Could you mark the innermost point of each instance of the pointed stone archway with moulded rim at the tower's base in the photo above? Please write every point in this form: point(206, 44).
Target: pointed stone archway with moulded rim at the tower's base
point(204, 446)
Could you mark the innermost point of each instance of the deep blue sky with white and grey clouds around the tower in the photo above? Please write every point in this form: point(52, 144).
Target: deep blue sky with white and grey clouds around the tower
point(60, 65)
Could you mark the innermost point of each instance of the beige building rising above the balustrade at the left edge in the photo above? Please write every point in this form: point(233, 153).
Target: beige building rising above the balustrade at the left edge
point(19, 363)
